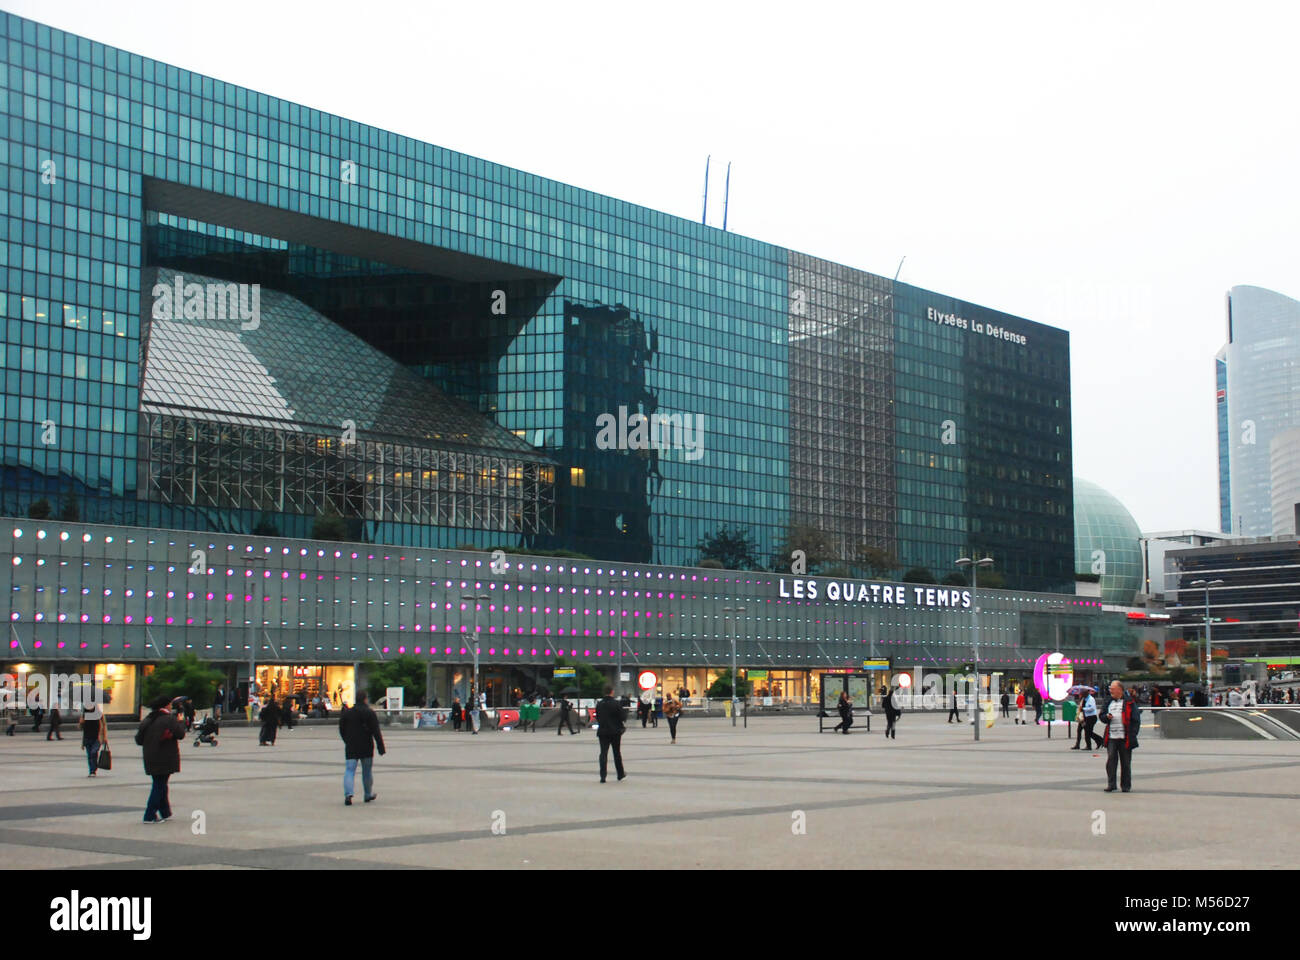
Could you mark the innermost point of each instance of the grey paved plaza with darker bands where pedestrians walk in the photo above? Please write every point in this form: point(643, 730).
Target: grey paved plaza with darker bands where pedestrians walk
point(720, 798)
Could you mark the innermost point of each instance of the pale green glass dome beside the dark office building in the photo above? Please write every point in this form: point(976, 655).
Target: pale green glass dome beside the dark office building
point(1107, 542)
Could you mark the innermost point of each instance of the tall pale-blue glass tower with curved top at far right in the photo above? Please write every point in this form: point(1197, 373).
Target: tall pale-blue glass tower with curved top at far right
point(1259, 393)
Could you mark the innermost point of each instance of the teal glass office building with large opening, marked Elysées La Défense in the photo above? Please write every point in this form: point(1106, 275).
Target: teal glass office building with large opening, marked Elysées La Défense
point(229, 313)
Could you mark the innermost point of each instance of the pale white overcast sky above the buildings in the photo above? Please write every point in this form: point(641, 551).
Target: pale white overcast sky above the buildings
point(1112, 168)
